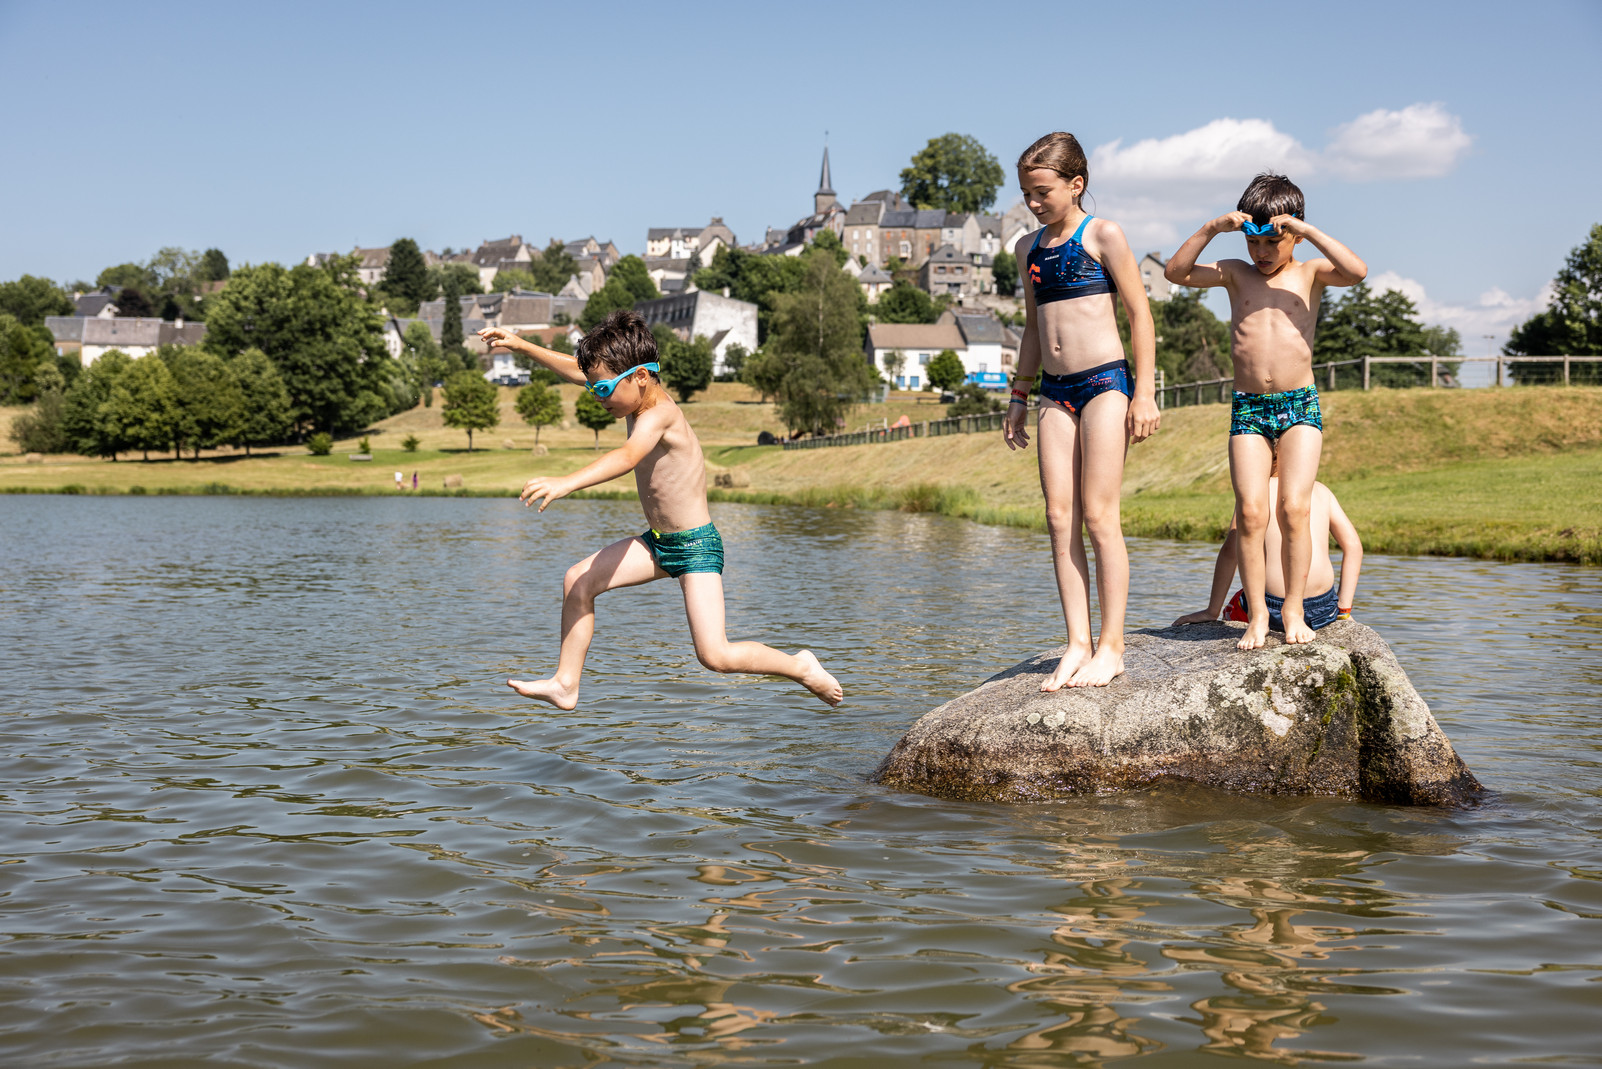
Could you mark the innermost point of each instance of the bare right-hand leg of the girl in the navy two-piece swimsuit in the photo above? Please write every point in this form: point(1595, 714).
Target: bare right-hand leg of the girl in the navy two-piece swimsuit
point(1103, 446)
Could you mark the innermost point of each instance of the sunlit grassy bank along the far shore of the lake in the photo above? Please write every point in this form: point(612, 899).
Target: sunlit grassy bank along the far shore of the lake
point(1494, 474)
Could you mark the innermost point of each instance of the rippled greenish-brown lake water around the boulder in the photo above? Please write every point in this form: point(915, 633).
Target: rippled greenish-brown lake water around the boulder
point(268, 804)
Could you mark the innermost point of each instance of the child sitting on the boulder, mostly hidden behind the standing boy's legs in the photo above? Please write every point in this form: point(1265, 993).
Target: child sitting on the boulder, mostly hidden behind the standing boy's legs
point(1332, 603)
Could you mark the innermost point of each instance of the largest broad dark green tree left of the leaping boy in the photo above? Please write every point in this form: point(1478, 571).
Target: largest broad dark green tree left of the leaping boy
point(321, 334)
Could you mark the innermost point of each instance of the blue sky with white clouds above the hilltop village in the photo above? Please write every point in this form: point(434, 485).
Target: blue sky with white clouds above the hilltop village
point(1455, 147)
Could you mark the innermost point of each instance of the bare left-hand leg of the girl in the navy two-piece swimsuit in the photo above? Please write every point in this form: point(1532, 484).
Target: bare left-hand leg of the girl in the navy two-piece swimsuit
point(1060, 480)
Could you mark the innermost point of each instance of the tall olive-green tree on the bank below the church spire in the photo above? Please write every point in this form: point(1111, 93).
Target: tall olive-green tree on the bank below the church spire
point(818, 334)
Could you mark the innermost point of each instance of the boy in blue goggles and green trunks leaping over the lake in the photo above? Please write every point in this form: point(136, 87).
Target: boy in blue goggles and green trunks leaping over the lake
point(618, 363)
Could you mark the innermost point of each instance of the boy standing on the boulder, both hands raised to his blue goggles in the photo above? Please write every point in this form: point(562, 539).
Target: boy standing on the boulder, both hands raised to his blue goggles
point(1274, 307)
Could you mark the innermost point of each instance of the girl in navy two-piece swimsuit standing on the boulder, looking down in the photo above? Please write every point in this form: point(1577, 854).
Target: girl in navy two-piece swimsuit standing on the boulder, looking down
point(1092, 405)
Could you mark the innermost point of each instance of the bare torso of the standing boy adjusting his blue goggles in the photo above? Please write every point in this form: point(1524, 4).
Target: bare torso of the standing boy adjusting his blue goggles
point(1273, 321)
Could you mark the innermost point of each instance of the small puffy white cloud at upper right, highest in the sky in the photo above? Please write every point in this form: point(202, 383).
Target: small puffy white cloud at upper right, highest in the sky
point(1419, 142)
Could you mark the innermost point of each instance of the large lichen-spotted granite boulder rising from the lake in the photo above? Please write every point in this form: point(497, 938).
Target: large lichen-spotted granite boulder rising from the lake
point(1335, 717)
